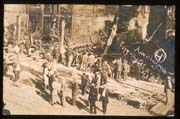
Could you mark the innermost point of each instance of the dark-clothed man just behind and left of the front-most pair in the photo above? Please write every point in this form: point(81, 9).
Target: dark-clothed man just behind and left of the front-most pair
point(84, 81)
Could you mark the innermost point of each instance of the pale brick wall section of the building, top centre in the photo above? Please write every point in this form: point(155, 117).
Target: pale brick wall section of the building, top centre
point(87, 21)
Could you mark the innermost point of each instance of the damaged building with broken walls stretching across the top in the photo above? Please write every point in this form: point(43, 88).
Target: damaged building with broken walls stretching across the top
point(85, 26)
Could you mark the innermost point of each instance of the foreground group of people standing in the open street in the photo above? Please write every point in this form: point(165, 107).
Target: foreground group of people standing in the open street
point(92, 84)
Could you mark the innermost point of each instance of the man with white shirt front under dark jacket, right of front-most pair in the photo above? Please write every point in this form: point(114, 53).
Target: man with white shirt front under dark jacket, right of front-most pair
point(104, 98)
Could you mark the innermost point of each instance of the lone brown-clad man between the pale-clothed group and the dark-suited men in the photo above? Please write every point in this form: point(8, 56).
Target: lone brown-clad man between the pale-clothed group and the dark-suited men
point(75, 92)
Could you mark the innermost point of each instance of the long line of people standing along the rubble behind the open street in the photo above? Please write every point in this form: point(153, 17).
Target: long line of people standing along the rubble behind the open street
point(119, 68)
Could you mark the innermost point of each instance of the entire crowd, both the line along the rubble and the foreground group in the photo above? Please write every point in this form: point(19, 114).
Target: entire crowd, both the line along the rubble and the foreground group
point(93, 79)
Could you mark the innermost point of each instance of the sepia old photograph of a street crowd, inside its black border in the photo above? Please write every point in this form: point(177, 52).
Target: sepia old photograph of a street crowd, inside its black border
point(89, 59)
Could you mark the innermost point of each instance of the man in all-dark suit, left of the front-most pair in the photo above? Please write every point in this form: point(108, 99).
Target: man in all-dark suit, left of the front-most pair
point(93, 98)
